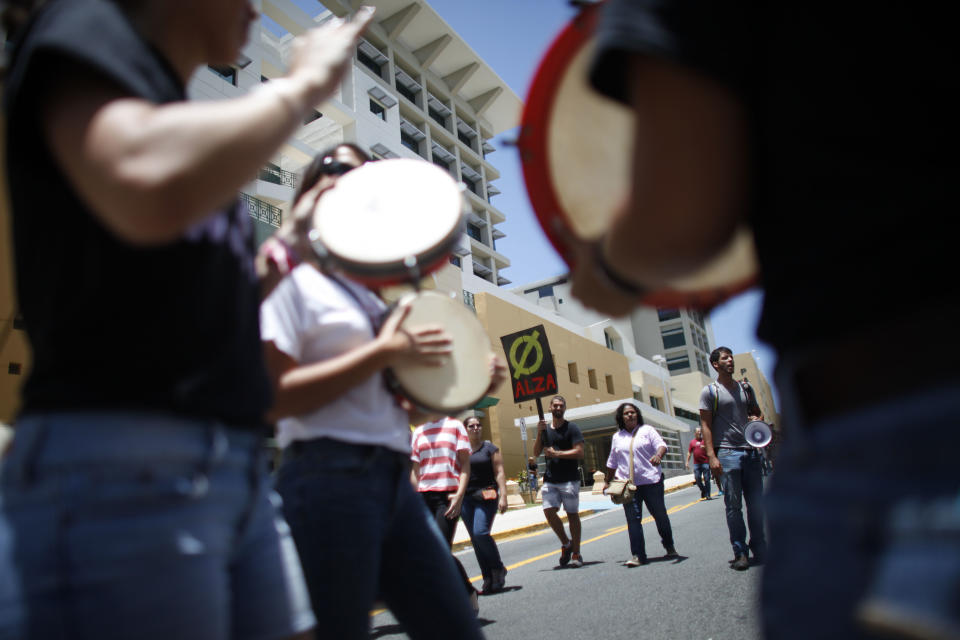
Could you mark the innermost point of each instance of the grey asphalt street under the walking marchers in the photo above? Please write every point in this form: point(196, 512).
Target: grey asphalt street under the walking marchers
point(697, 596)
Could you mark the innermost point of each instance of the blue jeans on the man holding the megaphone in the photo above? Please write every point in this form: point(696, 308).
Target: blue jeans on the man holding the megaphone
point(743, 483)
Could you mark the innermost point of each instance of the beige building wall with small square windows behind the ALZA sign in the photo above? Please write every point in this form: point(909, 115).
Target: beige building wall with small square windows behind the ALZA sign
point(611, 374)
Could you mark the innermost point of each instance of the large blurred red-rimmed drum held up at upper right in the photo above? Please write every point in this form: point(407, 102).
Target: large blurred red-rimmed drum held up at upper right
point(576, 149)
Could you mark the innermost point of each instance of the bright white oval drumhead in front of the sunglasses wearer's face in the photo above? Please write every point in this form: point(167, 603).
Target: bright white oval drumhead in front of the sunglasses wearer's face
point(385, 211)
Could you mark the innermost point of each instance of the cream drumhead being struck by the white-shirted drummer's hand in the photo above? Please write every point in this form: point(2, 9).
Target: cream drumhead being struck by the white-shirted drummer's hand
point(464, 378)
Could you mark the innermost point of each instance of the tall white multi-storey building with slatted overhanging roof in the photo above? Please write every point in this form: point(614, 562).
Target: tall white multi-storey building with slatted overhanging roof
point(415, 90)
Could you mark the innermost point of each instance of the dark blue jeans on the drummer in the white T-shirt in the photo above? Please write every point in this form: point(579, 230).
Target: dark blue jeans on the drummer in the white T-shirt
point(363, 533)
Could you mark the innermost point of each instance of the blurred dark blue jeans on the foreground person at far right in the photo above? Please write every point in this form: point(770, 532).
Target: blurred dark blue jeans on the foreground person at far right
point(840, 542)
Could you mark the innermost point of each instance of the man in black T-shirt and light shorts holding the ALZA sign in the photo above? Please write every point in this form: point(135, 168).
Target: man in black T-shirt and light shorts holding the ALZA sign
point(561, 444)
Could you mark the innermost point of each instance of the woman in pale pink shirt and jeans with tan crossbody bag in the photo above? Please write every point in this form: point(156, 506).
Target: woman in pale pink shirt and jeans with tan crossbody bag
point(647, 448)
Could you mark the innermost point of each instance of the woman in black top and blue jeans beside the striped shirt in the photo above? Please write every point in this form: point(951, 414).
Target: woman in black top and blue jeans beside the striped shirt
point(486, 493)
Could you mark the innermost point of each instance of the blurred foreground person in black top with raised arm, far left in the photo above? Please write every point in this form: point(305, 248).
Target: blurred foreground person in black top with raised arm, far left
point(136, 499)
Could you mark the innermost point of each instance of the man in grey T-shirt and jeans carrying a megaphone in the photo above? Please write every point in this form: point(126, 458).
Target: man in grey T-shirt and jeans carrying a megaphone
point(727, 407)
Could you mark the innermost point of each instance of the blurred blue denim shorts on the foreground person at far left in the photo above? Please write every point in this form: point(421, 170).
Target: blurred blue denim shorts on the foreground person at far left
point(125, 525)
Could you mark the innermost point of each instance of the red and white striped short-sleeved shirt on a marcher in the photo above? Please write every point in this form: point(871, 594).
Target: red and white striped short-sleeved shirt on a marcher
point(434, 448)
